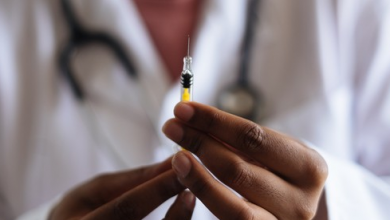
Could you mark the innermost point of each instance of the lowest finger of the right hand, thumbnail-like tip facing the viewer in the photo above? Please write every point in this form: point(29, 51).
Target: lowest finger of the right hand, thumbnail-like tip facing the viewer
point(221, 201)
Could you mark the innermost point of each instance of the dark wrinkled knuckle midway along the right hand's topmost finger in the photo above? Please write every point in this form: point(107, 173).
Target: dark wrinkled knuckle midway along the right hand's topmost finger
point(251, 137)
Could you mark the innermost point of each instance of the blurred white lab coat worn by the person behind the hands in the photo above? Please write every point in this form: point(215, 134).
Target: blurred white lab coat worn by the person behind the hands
point(323, 68)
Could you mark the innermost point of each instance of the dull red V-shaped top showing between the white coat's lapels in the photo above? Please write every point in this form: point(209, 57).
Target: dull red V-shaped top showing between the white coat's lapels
point(169, 22)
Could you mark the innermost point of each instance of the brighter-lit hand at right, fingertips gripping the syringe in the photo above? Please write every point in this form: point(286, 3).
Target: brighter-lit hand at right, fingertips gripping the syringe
point(277, 176)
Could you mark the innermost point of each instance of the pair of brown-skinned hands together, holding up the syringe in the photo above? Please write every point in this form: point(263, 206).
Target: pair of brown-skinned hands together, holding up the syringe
point(277, 176)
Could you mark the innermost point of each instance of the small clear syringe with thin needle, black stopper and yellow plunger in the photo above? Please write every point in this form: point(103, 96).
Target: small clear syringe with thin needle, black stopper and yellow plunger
point(187, 76)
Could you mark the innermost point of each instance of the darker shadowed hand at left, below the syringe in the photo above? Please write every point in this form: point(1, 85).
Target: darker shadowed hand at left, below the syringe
point(127, 195)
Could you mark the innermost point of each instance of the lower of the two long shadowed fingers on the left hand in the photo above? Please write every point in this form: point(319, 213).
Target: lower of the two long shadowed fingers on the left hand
point(141, 200)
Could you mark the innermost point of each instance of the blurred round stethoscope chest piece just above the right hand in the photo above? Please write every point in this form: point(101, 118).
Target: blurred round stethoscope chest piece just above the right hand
point(240, 100)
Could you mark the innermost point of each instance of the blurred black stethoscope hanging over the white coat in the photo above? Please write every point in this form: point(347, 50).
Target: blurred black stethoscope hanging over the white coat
point(239, 98)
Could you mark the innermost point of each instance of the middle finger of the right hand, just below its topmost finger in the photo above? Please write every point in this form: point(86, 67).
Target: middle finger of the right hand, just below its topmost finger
point(256, 184)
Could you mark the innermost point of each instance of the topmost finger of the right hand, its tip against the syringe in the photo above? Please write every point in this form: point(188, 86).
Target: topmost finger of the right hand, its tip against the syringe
point(284, 155)
